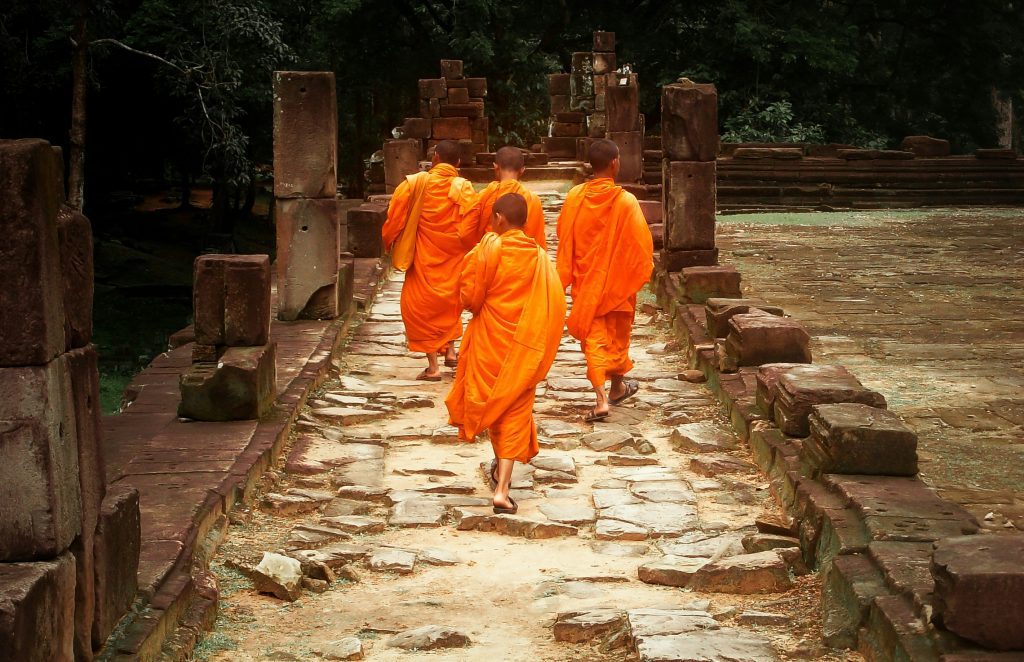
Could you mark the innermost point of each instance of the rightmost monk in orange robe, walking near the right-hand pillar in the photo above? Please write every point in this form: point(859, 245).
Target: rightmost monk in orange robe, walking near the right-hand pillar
point(606, 257)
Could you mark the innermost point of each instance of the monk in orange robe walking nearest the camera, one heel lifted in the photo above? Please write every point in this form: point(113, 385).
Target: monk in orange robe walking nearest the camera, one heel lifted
point(519, 308)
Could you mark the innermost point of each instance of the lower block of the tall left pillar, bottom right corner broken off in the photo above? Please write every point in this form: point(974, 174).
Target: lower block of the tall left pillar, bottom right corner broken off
point(308, 253)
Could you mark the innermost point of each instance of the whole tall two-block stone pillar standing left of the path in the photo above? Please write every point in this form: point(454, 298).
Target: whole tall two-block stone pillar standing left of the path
point(306, 143)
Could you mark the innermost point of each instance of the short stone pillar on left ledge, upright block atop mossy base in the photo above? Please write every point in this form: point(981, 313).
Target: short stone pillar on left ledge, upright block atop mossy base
point(234, 374)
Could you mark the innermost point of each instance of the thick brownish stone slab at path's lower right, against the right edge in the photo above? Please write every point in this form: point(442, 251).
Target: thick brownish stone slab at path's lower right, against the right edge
point(765, 572)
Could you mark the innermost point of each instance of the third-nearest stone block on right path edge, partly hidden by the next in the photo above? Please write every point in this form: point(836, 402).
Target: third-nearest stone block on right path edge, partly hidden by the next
point(798, 390)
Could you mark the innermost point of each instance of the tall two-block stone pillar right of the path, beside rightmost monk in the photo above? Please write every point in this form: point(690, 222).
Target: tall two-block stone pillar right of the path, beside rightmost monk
point(690, 138)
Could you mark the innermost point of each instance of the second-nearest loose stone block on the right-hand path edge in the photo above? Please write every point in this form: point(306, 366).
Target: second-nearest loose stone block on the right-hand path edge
point(851, 438)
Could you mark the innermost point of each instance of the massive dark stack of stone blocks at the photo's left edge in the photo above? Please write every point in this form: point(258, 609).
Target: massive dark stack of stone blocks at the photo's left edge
point(53, 483)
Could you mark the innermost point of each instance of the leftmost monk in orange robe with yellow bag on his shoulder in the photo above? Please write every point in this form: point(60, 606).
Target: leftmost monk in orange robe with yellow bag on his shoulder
point(442, 210)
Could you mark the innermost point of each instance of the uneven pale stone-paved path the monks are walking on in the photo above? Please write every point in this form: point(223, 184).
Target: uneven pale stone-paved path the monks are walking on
point(650, 534)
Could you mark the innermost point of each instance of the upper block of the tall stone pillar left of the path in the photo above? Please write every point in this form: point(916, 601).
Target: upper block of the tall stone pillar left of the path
point(306, 135)
